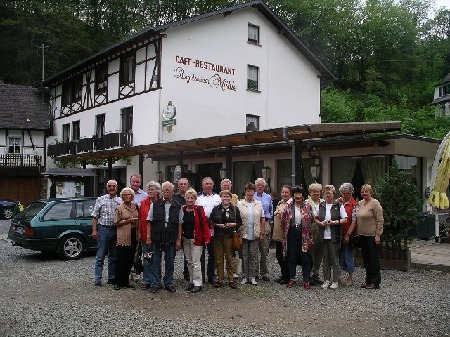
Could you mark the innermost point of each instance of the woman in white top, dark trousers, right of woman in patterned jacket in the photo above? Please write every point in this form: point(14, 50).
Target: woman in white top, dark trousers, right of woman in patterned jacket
point(315, 189)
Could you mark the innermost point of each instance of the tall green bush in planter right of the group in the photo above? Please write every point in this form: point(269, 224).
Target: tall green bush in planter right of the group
point(401, 203)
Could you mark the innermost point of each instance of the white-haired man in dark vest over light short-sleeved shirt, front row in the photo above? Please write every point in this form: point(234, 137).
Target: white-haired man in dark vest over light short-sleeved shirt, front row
point(164, 231)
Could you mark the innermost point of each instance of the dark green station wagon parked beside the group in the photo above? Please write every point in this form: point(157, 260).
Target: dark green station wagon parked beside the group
point(55, 225)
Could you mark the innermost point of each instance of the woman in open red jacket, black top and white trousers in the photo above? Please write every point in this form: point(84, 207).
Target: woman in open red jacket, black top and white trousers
point(195, 234)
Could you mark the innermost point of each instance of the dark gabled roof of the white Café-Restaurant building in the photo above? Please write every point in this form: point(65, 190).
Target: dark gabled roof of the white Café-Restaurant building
point(155, 31)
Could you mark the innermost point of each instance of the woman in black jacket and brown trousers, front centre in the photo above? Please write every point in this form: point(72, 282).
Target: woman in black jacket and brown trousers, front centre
point(226, 219)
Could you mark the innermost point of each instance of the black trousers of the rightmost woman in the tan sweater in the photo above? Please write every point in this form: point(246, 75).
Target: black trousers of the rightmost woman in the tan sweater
point(370, 252)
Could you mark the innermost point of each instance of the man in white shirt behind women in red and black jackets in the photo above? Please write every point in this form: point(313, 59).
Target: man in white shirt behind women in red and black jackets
point(208, 199)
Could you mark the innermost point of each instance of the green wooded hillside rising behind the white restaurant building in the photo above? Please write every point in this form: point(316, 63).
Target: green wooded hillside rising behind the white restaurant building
point(387, 55)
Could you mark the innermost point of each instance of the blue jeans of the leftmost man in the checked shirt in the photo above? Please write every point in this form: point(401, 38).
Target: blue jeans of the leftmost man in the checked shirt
point(106, 244)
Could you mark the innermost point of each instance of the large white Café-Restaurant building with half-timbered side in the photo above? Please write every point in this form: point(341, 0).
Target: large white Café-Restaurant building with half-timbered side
point(220, 90)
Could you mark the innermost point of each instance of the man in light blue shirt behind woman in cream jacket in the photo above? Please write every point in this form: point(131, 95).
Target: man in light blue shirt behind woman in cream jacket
point(266, 201)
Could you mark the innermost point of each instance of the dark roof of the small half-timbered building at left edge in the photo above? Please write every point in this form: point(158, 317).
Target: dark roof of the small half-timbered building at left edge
point(21, 107)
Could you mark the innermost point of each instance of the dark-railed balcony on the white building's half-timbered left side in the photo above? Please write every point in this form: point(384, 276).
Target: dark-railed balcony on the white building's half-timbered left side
point(88, 145)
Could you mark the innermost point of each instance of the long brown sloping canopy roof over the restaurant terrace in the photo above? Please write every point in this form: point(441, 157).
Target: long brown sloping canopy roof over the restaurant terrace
point(299, 132)
